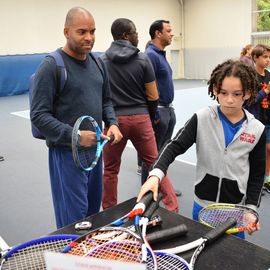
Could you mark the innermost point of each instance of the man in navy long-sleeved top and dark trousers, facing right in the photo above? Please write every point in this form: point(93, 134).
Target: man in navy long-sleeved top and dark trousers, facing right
point(161, 36)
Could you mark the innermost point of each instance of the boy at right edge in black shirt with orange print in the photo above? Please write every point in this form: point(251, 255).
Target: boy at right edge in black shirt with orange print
point(261, 107)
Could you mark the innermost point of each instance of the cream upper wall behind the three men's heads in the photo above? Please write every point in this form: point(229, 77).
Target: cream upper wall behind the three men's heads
point(30, 26)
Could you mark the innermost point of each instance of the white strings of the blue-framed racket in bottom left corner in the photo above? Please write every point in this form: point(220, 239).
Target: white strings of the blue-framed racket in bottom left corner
point(32, 257)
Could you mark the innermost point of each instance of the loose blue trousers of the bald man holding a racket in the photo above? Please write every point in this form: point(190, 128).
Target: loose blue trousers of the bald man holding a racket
point(76, 194)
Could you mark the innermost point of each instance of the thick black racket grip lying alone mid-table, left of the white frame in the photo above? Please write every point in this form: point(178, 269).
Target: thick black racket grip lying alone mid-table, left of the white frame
point(167, 234)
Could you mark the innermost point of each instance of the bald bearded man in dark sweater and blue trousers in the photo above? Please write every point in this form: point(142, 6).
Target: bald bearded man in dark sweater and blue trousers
point(76, 194)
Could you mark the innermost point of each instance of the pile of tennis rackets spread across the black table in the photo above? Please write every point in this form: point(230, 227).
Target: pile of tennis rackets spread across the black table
point(127, 244)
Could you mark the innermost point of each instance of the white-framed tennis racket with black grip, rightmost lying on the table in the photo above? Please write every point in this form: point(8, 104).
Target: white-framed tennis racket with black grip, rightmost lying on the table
point(167, 260)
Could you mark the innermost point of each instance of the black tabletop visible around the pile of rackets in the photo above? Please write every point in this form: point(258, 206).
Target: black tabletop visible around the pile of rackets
point(226, 253)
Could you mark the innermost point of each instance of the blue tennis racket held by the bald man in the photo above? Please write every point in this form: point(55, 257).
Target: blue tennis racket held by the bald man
point(86, 158)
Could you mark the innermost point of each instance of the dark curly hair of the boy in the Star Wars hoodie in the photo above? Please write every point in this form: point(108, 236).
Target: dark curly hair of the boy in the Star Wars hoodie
point(237, 69)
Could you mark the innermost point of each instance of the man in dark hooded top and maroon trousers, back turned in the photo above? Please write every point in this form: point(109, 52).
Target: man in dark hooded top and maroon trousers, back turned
point(135, 98)
